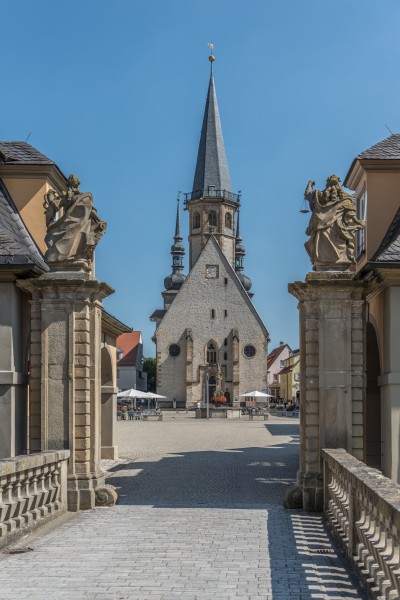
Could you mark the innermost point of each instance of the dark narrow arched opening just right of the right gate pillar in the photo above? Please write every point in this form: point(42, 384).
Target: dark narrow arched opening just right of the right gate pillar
point(373, 439)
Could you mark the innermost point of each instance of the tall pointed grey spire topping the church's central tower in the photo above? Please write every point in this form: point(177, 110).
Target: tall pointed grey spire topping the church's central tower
point(211, 166)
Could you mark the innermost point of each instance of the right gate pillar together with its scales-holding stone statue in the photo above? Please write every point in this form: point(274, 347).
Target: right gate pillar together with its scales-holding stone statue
point(332, 323)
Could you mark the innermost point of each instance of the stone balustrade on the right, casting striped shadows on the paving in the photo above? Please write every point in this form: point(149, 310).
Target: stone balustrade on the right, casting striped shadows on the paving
point(363, 509)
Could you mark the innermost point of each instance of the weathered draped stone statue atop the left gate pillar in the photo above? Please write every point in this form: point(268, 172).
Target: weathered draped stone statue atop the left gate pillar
point(73, 226)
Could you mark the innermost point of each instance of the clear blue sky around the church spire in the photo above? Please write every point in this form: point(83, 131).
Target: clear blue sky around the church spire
point(115, 93)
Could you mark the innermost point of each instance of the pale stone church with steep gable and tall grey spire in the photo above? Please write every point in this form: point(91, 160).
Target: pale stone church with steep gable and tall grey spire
point(209, 334)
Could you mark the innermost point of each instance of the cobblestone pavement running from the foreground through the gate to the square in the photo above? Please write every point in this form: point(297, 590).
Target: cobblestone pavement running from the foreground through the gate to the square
point(200, 517)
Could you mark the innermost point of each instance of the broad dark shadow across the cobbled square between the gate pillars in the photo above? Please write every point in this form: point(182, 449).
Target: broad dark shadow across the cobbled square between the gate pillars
point(236, 477)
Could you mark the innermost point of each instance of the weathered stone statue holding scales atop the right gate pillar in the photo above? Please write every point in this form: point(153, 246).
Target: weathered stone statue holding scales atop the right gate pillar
point(332, 226)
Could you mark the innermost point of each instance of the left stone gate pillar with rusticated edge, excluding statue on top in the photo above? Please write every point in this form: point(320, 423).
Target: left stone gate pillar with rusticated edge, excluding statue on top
point(65, 379)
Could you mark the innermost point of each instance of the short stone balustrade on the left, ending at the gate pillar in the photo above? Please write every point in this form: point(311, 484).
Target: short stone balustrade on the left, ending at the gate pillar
point(33, 491)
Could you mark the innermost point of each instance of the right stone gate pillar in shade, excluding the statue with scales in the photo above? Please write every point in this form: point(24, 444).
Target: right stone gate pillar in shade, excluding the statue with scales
point(332, 312)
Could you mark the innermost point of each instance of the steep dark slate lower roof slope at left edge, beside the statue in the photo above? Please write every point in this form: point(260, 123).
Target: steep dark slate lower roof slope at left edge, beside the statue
point(17, 248)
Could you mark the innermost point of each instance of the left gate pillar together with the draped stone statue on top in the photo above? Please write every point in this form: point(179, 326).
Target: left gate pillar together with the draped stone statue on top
point(65, 380)
